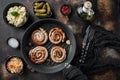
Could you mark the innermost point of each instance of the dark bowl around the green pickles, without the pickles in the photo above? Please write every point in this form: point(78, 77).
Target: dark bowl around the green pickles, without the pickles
point(48, 16)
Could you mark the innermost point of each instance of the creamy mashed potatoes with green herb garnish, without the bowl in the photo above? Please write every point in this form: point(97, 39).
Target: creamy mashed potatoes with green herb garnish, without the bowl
point(16, 15)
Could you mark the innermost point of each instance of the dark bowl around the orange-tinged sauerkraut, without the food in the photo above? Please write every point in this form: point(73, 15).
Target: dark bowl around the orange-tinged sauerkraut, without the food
point(11, 57)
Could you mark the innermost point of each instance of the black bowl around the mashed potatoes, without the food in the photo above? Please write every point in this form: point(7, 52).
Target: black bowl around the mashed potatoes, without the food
point(12, 5)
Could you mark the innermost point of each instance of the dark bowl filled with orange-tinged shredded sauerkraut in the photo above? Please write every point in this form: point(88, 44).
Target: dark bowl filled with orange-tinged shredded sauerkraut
point(15, 65)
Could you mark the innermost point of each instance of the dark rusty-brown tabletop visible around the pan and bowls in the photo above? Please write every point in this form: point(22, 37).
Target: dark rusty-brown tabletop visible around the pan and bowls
point(108, 21)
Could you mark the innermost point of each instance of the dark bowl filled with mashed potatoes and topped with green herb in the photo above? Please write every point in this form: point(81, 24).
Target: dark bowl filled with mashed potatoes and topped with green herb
point(15, 14)
